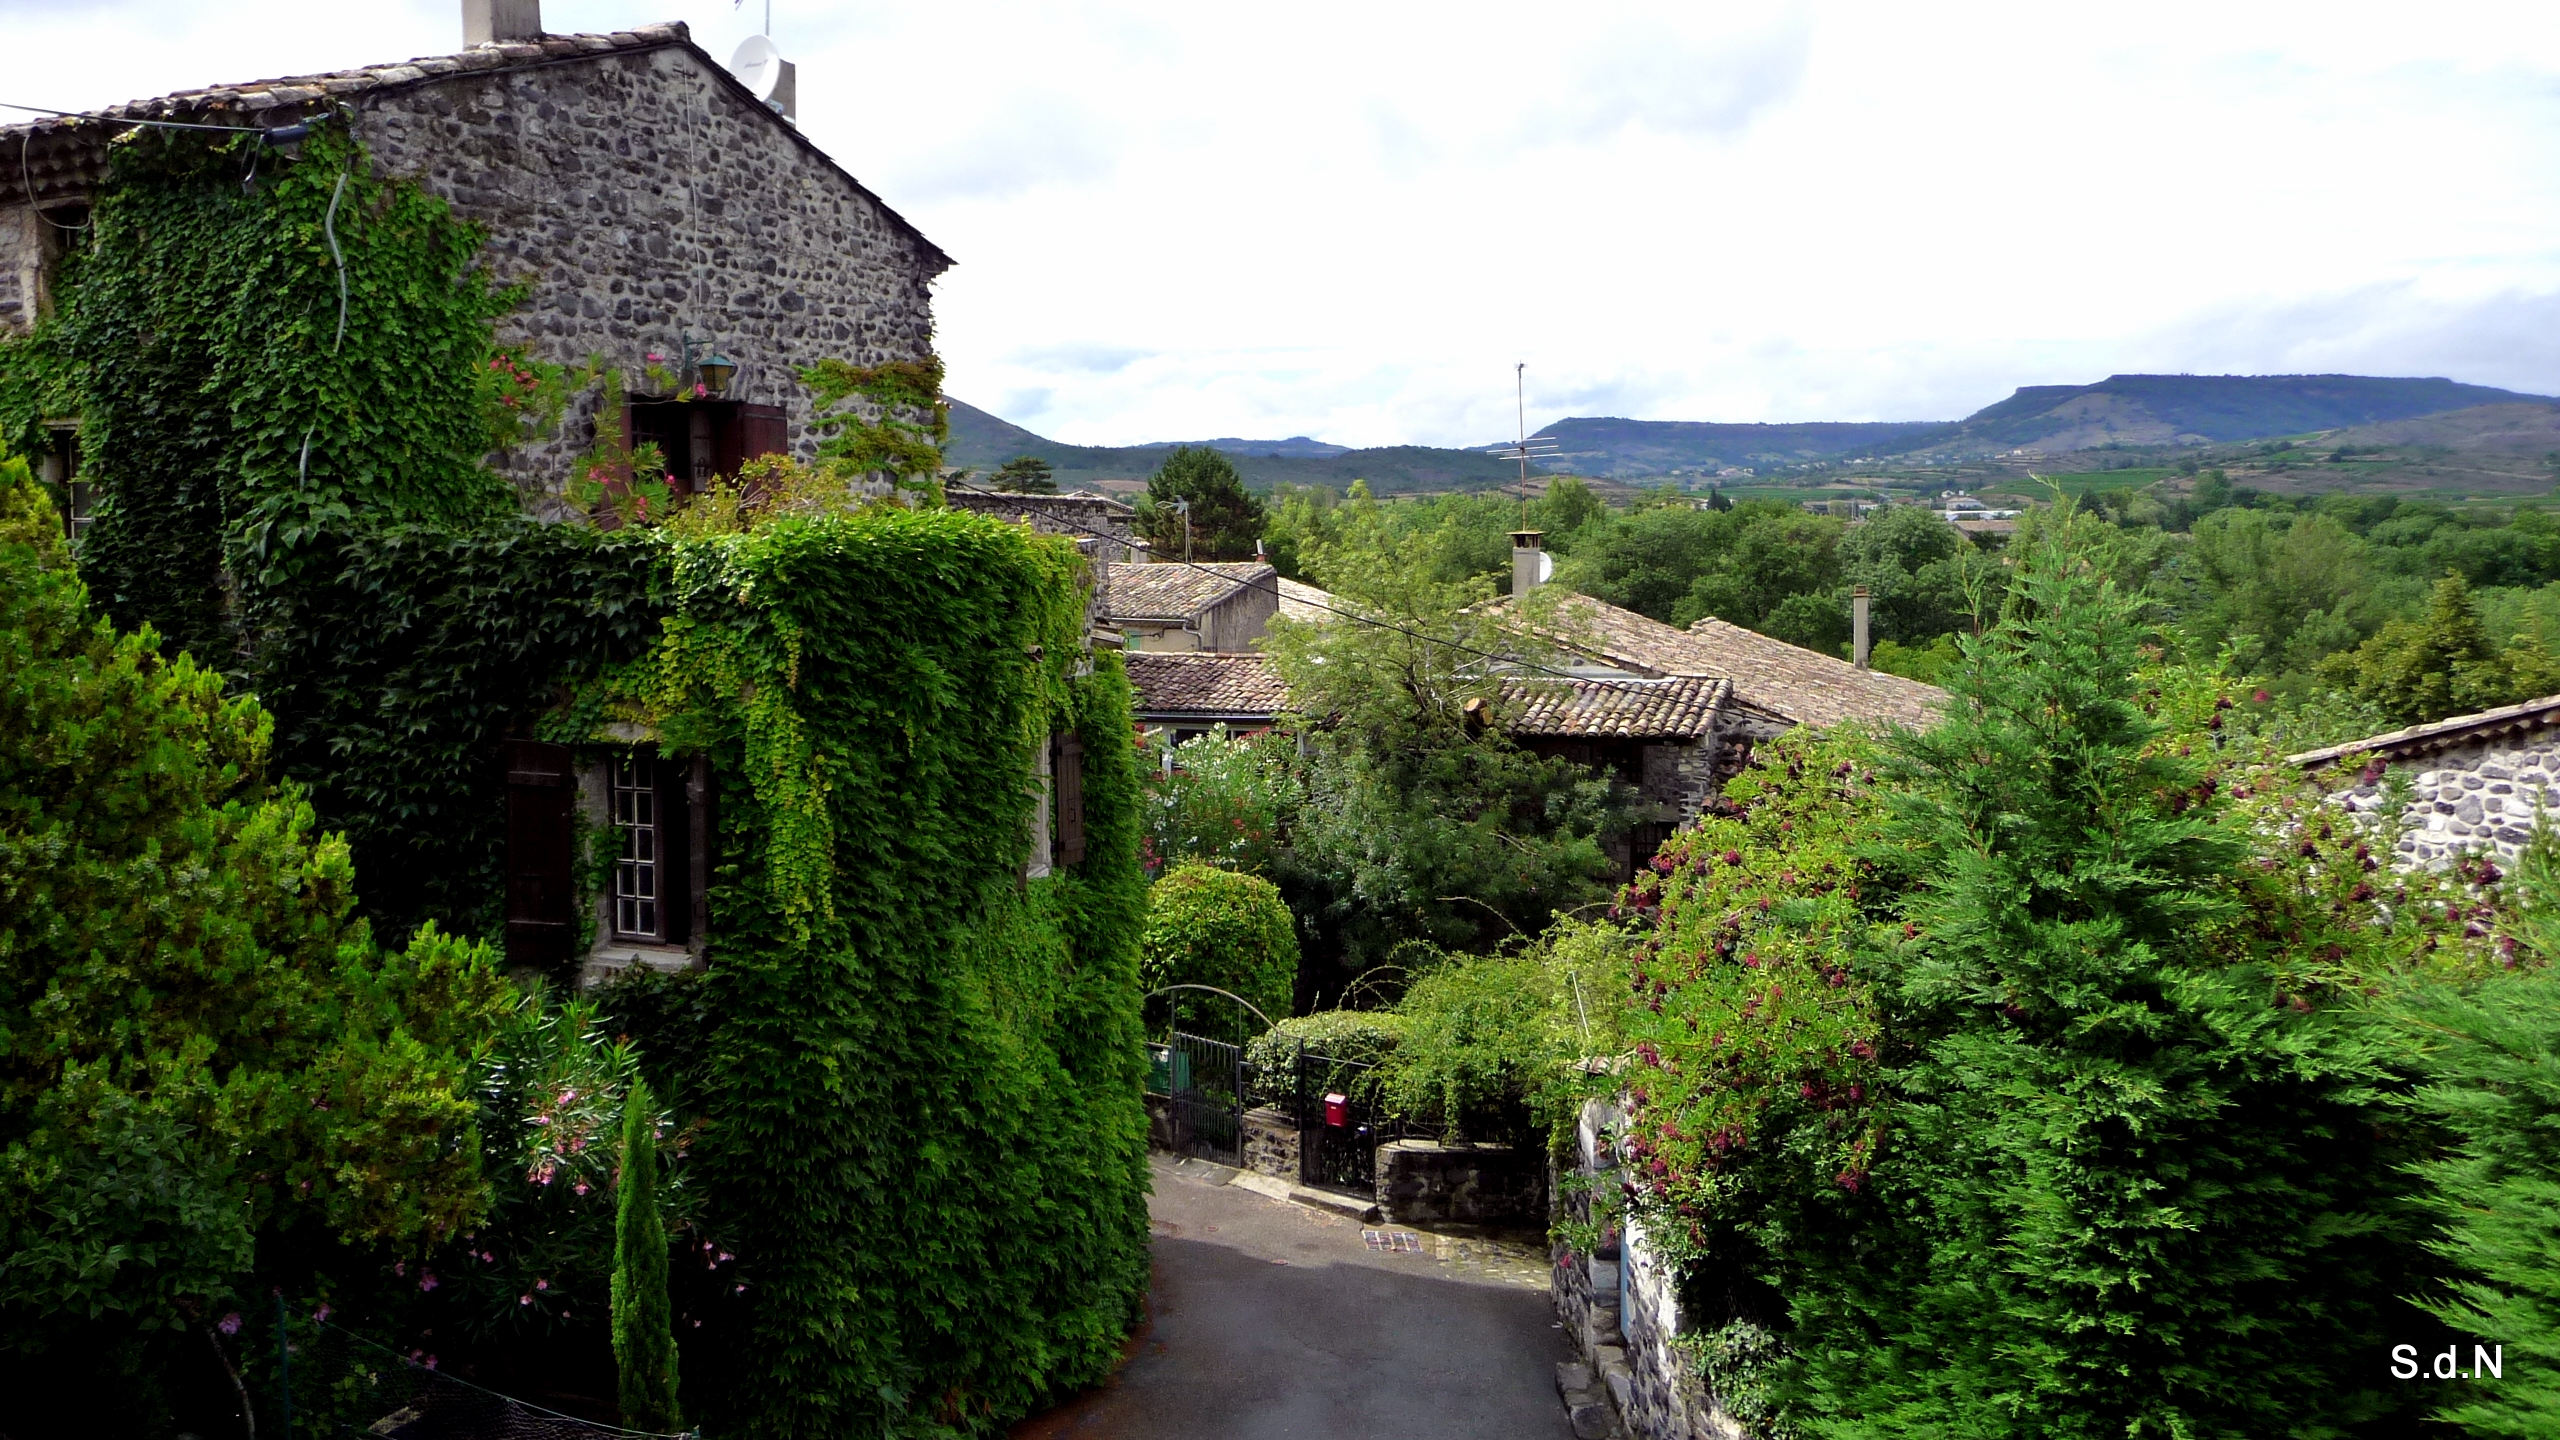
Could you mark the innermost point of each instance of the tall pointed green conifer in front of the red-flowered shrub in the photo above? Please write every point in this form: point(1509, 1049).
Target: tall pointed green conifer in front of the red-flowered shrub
point(2129, 1190)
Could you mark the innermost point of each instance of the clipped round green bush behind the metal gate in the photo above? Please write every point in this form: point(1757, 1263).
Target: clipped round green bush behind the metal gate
point(1220, 929)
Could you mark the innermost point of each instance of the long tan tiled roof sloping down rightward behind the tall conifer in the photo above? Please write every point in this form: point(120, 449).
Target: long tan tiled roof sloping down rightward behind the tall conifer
point(1793, 683)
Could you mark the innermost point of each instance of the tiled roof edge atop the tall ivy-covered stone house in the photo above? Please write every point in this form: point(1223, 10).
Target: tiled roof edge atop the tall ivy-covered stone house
point(65, 155)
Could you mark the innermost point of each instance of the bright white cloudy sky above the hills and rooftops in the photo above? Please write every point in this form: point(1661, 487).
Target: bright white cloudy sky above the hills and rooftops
point(1350, 222)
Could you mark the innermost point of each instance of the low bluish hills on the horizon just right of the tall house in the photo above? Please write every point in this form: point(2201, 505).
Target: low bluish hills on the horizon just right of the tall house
point(984, 442)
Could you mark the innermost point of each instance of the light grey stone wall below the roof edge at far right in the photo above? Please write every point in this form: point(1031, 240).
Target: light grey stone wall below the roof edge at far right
point(2472, 798)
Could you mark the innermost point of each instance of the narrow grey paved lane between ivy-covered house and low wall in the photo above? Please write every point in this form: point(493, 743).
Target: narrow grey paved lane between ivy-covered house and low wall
point(1274, 1321)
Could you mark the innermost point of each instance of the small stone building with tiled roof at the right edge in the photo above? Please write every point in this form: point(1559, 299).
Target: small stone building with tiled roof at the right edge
point(2474, 783)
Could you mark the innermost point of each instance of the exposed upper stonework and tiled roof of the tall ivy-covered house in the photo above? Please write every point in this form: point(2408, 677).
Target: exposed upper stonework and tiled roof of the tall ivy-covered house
point(646, 199)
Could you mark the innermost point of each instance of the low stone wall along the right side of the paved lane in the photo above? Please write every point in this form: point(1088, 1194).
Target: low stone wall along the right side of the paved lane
point(1622, 1311)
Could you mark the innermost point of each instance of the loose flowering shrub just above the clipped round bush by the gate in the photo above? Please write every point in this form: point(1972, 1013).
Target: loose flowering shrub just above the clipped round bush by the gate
point(1225, 803)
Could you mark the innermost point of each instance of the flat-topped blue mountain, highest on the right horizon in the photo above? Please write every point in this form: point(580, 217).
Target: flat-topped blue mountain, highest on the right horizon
point(2208, 409)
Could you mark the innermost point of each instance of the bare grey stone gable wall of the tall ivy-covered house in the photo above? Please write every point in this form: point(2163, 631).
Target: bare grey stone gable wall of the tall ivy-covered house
point(644, 199)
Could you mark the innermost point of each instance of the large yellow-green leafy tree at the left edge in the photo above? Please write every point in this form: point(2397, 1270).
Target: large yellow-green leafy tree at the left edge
point(206, 1067)
